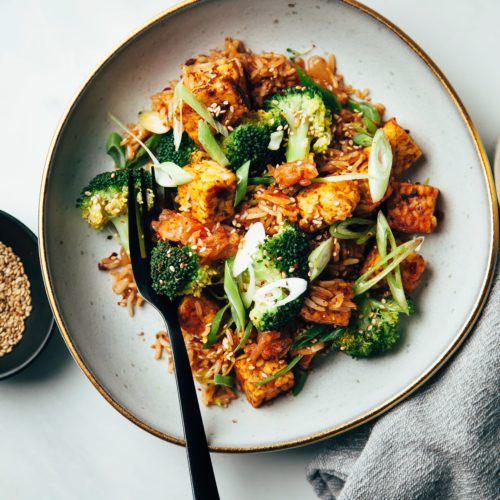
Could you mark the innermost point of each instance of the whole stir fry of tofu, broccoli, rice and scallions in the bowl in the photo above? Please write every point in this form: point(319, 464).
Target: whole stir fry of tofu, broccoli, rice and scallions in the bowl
point(288, 227)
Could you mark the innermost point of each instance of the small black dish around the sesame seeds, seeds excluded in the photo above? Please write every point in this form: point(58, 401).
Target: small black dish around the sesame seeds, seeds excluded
point(40, 322)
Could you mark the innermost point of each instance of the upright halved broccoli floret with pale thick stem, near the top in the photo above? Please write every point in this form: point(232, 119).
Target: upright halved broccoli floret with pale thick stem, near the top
point(308, 119)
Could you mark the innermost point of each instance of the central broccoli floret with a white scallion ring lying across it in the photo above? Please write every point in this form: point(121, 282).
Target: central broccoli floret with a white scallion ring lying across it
point(280, 256)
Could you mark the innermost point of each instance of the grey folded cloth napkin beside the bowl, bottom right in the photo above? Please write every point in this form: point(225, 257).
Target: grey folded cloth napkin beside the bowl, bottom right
point(441, 443)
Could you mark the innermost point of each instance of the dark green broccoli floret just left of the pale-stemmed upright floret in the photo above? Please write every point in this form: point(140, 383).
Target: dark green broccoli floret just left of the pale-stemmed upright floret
point(250, 141)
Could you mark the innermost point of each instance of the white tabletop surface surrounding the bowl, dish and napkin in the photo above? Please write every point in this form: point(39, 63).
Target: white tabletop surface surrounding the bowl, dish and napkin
point(58, 438)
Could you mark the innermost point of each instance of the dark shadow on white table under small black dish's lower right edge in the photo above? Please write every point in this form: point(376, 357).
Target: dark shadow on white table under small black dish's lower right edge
point(50, 363)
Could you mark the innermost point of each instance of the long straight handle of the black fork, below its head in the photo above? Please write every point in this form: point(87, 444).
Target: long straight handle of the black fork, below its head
point(200, 465)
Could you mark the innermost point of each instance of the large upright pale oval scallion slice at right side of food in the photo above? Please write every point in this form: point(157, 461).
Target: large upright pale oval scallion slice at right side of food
point(379, 165)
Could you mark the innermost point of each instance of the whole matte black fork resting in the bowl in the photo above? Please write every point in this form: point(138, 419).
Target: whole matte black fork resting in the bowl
point(201, 470)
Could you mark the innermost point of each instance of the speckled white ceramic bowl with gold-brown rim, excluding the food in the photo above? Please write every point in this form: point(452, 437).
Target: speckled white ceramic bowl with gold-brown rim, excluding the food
point(341, 392)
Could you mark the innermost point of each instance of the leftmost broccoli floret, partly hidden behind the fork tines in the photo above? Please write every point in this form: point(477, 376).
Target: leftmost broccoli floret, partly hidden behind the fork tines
point(104, 200)
